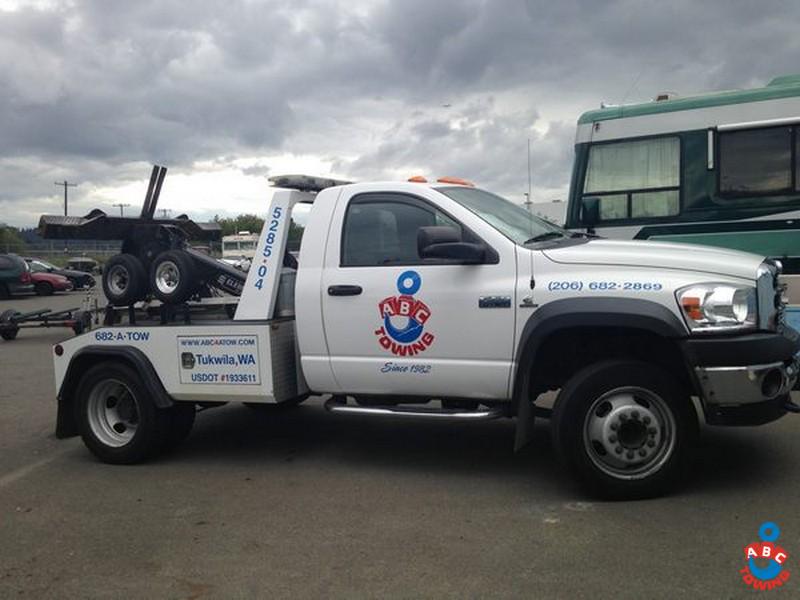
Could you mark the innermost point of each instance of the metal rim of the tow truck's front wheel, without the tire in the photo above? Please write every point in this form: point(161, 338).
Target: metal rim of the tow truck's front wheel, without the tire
point(629, 433)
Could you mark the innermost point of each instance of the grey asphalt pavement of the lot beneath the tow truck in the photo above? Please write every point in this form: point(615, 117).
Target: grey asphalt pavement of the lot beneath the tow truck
point(311, 505)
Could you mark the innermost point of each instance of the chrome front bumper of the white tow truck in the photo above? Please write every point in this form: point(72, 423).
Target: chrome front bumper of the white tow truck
point(732, 386)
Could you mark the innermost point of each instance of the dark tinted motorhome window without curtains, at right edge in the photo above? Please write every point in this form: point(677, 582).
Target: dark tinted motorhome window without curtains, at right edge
point(756, 161)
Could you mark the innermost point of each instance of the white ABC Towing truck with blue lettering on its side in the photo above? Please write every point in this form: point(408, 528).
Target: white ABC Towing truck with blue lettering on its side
point(443, 301)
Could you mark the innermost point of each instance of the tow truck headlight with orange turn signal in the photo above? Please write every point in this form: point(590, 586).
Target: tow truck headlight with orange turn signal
point(716, 306)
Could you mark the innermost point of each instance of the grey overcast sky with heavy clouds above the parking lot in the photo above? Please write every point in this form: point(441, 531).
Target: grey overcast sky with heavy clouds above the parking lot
point(228, 92)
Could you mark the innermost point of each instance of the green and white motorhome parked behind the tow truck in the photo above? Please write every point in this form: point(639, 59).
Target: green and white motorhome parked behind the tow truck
point(721, 169)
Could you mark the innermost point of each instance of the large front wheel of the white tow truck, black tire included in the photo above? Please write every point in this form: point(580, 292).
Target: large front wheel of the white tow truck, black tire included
point(636, 400)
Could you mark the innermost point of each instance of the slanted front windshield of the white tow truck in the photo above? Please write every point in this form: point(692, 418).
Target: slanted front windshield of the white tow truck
point(510, 219)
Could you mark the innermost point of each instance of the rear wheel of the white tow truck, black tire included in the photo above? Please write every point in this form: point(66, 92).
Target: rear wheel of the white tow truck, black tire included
point(130, 433)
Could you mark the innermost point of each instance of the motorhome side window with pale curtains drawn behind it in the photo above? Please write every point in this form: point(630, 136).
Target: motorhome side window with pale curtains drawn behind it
point(635, 180)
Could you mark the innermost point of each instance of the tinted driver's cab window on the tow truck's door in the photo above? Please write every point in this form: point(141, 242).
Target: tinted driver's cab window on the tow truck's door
point(384, 231)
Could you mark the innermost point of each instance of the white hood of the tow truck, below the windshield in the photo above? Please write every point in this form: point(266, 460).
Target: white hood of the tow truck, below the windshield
point(659, 255)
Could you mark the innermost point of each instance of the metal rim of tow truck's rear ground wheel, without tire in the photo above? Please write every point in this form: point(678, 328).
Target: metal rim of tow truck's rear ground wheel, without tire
point(113, 413)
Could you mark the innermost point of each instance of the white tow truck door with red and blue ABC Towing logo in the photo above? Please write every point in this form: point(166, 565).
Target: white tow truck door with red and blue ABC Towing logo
point(398, 324)
